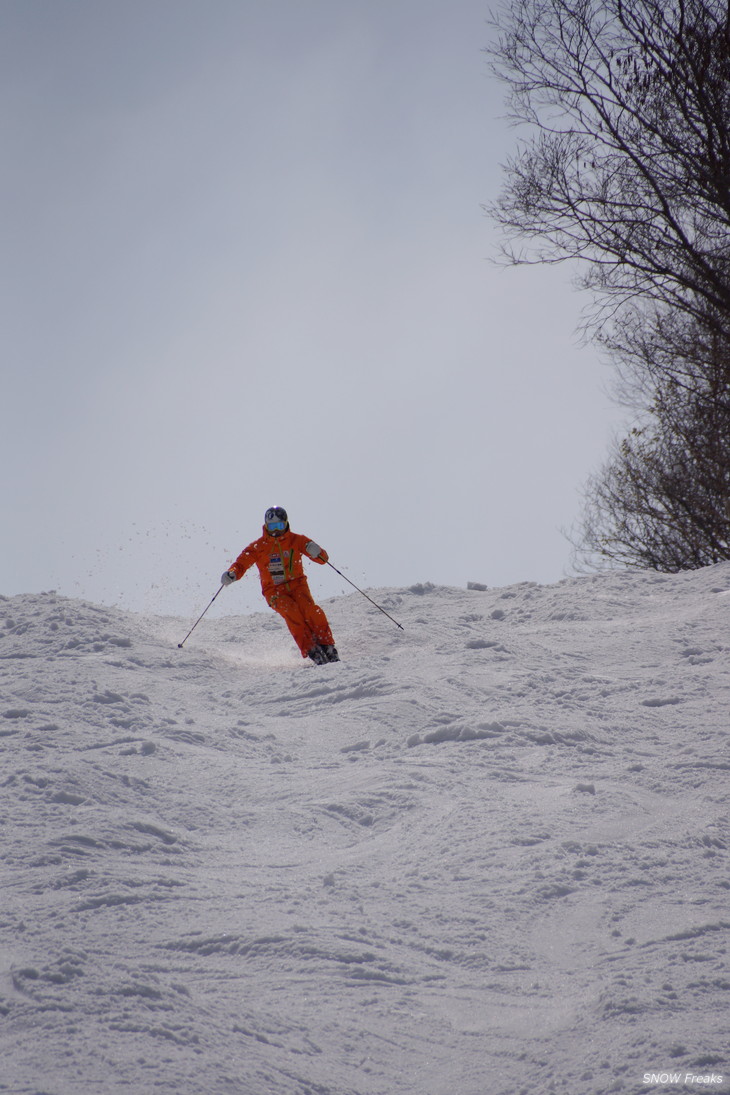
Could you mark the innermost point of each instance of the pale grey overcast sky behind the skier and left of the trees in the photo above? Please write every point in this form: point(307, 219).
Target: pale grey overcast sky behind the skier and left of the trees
point(245, 263)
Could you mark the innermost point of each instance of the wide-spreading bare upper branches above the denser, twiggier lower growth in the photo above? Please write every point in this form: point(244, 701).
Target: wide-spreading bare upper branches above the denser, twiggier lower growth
point(629, 167)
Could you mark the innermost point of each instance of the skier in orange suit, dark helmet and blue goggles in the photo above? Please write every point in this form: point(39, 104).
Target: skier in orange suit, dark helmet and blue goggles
point(279, 556)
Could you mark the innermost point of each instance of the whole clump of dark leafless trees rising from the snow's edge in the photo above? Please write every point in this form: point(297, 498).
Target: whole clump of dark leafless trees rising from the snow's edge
point(628, 172)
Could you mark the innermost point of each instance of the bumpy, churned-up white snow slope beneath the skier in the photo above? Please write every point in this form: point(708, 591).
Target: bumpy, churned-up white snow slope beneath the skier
point(486, 856)
